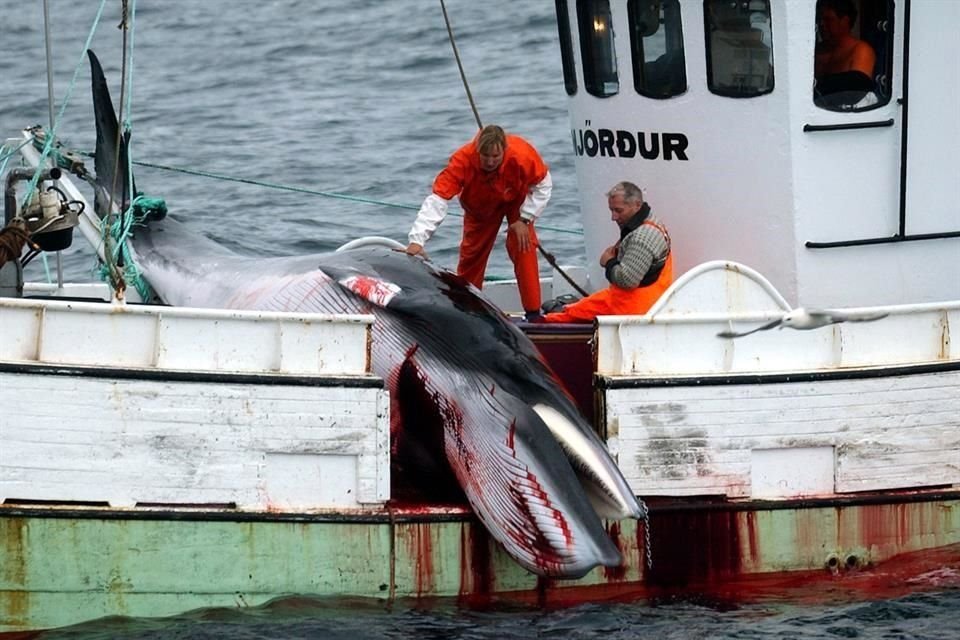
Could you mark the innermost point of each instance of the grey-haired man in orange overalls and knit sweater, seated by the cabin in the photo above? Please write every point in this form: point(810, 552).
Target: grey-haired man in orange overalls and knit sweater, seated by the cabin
point(639, 266)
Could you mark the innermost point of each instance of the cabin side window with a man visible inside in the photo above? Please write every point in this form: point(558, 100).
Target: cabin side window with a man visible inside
point(853, 61)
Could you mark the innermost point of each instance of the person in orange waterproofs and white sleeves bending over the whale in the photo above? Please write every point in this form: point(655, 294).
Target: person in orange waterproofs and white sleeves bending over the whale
point(498, 177)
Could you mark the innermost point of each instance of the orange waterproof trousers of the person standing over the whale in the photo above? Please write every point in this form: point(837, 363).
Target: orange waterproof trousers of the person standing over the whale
point(479, 235)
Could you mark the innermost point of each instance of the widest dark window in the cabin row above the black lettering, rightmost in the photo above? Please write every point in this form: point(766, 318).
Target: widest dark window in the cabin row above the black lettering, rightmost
point(739, 40)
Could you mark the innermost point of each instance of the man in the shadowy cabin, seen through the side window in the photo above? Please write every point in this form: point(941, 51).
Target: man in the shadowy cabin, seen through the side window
point(843, 62)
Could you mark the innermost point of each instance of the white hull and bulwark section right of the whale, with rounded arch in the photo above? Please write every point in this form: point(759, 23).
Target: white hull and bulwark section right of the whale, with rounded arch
point(781, 413)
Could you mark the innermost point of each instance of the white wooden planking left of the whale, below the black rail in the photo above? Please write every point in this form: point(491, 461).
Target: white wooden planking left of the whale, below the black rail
point(128, 441)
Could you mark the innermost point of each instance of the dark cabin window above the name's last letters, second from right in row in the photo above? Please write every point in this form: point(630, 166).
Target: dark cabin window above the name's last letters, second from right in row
point(656, 45)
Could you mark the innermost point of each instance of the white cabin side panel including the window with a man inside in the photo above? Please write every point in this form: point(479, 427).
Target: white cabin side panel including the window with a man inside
point(855, 130)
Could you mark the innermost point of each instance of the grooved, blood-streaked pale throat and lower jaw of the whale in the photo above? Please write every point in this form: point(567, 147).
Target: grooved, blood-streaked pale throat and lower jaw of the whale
point(524, 489)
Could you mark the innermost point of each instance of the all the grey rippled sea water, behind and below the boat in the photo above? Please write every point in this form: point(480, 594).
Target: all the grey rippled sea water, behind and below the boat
point(360, 98)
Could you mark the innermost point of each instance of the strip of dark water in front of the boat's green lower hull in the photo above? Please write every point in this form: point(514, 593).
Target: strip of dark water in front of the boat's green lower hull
point(926, 616)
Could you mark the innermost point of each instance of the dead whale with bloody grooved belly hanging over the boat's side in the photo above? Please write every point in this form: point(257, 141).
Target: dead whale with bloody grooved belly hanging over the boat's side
point(532, 469)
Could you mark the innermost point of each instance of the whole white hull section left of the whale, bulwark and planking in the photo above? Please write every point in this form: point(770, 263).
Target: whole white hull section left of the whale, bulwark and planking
point(123, 405)
